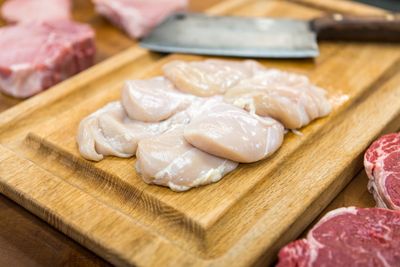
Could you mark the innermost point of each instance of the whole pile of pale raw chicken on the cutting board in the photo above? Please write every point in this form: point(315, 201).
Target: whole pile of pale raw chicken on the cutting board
point(195, 124)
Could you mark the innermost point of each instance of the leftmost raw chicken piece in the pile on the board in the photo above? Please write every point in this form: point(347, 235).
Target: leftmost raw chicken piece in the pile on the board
point(109, 131)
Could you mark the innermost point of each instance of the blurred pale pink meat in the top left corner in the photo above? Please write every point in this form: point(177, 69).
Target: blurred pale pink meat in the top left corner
point(36, 10)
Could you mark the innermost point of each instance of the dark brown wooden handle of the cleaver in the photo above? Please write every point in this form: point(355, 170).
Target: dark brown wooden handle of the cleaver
point(384, 28)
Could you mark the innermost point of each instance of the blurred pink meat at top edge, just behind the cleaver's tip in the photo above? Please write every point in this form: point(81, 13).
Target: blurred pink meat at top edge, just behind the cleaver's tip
point(138, 17)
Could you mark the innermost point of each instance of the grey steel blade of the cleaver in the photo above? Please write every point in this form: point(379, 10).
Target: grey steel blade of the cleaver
point(233, 36)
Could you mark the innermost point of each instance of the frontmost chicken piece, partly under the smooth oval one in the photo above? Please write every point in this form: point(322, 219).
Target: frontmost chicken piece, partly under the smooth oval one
point(169, 160)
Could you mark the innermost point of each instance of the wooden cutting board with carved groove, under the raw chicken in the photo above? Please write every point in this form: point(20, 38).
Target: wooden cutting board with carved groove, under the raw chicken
point(242, 220)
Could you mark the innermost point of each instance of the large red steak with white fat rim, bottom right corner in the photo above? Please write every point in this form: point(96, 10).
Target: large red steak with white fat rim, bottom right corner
point(348, 237)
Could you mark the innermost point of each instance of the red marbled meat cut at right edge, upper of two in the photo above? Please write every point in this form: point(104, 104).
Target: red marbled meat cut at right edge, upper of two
point(382, 164)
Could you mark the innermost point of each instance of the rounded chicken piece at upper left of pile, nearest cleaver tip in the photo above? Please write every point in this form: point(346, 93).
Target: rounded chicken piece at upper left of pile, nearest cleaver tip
point(153, 100)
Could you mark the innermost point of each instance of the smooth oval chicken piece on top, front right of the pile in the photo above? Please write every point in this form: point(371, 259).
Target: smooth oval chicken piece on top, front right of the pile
point(230, 132)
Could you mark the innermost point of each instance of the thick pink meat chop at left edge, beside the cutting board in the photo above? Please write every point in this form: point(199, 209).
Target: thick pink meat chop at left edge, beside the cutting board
point(40, 55)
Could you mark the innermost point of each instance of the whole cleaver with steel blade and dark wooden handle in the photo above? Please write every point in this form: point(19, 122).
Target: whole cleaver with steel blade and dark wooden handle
point(201, 34)
